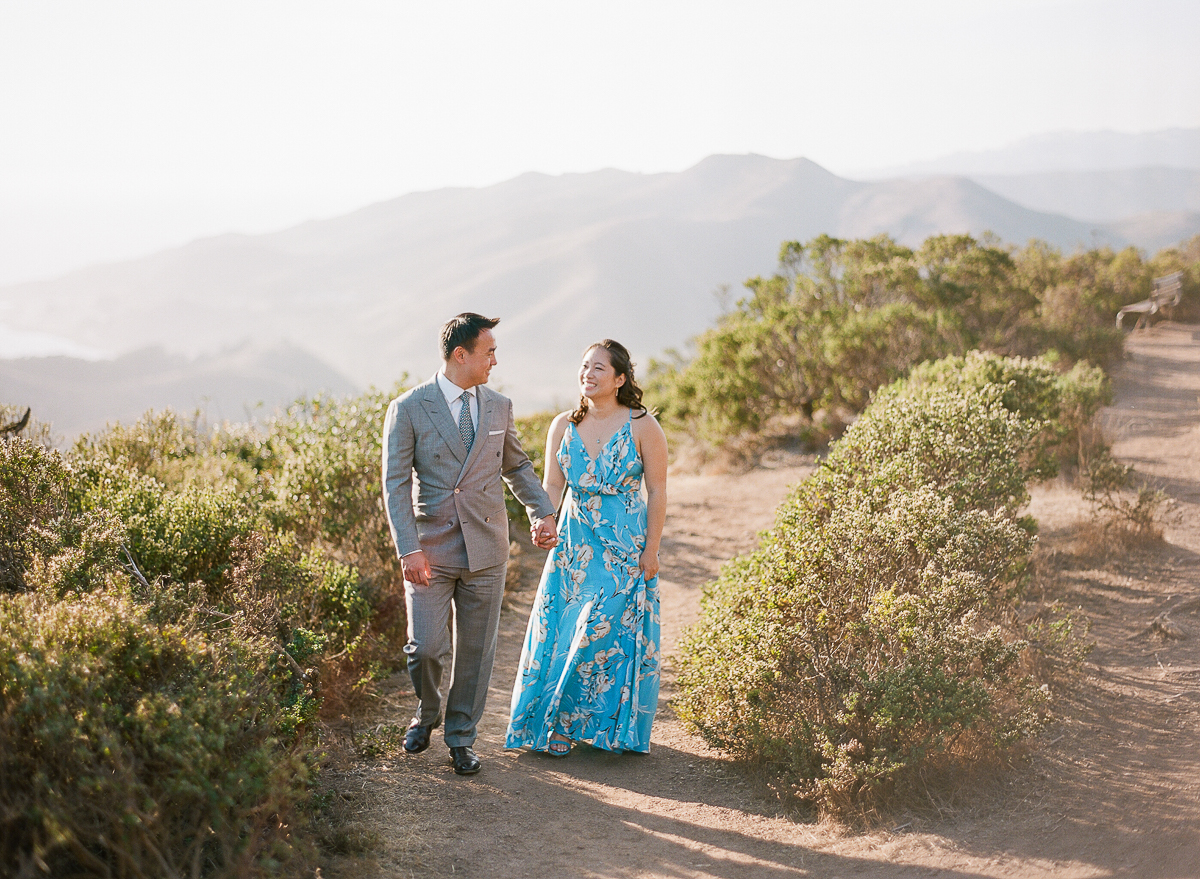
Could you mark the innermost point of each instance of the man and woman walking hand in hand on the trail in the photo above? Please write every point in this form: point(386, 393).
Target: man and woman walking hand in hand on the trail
point(590, 666)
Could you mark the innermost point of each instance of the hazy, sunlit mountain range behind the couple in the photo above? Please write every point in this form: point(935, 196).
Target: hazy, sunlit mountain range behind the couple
point(562, 260)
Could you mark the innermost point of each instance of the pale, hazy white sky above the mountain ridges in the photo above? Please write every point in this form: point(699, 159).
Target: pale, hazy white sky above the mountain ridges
point(130, 127)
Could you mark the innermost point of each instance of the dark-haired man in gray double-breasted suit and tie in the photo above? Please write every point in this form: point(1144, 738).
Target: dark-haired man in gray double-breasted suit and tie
point(453, 540)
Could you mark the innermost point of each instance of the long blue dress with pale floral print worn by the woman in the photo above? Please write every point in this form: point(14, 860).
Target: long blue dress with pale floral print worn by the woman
point(590, 667)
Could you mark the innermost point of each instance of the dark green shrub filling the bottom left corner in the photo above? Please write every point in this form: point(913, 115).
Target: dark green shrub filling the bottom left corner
point(130, 749)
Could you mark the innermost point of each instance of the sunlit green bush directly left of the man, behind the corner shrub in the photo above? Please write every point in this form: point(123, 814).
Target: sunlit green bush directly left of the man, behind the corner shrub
point(280, 523)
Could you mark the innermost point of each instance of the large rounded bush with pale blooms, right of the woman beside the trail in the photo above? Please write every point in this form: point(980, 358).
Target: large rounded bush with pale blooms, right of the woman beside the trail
point(869, 638)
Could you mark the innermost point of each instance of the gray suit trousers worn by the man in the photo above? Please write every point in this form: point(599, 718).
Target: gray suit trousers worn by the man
point(476, 600)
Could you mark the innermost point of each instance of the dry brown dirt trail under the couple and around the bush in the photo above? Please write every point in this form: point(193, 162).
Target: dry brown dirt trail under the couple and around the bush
point(1112, 790)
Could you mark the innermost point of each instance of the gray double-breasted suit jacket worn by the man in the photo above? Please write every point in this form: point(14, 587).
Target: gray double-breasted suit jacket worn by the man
point(458, 516)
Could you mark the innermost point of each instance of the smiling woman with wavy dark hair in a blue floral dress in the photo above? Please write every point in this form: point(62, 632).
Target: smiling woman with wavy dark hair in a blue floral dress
point(590, 668)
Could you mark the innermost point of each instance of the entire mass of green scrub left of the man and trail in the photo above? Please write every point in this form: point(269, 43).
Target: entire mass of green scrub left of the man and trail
point(179, 607)
